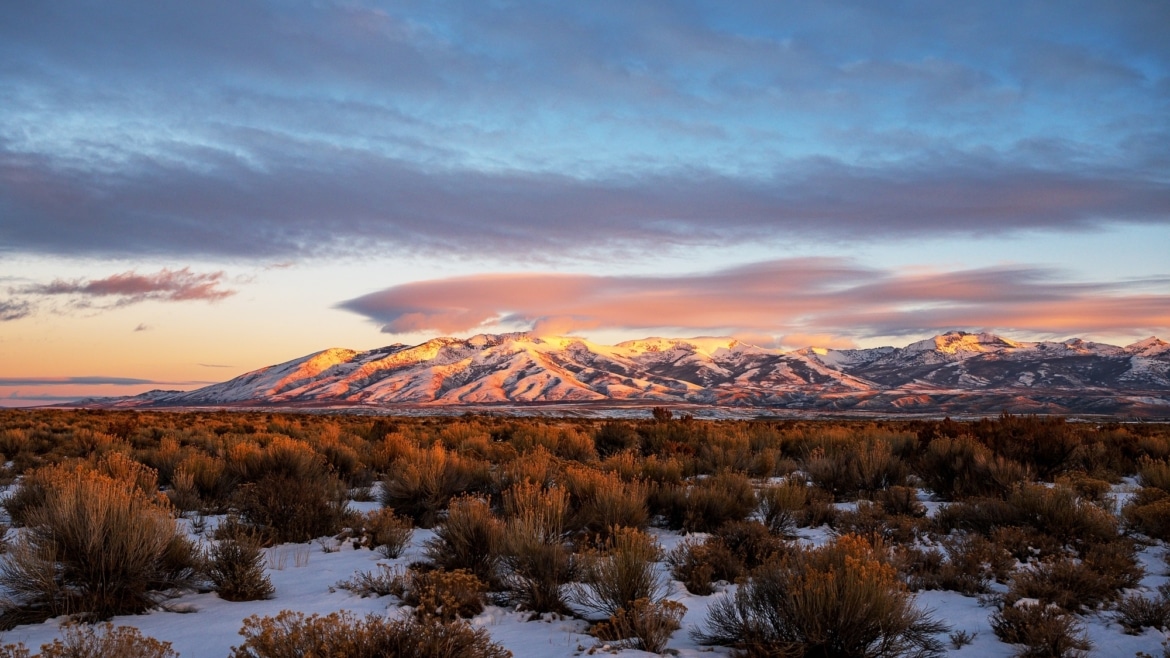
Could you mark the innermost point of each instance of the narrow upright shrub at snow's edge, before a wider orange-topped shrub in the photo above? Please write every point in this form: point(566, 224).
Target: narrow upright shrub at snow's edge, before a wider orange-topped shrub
point(469, 539)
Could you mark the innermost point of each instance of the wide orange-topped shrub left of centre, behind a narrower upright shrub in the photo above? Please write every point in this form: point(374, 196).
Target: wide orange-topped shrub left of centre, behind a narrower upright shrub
point(422, 483)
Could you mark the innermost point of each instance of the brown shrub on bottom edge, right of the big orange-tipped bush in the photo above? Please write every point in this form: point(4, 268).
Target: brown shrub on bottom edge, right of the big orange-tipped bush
point(1044, 632)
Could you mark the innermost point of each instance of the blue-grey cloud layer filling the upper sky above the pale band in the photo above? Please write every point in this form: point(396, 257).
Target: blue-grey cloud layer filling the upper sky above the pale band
point(236, 129)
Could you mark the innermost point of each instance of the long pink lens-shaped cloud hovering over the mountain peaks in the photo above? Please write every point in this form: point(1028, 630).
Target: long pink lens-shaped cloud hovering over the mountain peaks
point(835, 300)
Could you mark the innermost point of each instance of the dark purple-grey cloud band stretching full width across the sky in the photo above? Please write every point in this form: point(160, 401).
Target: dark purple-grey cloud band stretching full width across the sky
point(363, 202)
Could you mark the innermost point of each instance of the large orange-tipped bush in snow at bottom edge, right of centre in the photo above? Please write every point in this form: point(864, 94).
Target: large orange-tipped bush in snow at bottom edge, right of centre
point(841, 600)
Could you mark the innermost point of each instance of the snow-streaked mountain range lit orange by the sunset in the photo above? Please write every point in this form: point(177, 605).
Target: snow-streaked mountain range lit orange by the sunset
point(955, 373)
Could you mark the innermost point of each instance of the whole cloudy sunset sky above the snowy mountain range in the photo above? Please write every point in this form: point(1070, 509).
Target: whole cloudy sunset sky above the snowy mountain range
point(190, 191)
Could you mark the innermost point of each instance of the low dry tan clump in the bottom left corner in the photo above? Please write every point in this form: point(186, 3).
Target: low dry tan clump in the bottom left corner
point(97, 642)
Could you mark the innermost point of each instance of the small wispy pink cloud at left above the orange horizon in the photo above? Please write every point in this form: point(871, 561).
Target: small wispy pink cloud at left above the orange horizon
point(130, 287)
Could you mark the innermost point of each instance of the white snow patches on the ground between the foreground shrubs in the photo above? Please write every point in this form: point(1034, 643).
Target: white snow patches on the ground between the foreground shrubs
point(202, 626)
